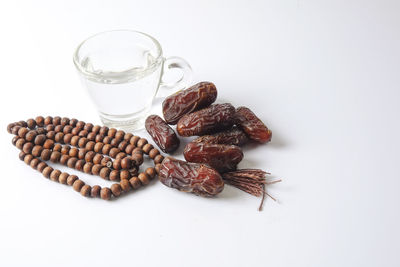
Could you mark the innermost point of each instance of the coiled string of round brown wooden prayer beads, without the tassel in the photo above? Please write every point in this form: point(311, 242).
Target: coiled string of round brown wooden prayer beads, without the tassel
point(107, 152)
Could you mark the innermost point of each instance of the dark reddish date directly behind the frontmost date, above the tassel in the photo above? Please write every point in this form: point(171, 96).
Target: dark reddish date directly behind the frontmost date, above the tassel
point(223, 158)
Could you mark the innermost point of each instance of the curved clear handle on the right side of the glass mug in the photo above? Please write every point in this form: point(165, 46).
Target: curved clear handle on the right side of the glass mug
point(168, 88)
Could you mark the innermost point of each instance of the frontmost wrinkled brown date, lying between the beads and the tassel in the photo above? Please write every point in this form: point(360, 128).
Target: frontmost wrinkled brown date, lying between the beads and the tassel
point(194, 178)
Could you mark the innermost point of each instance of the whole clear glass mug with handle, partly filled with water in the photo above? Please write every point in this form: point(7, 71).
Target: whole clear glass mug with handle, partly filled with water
point(123, 71)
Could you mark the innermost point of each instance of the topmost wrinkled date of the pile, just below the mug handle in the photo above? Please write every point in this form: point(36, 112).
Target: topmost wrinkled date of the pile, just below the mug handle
point(198, 96)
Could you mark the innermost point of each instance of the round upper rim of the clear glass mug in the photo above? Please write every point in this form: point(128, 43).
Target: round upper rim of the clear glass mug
point(95, 75)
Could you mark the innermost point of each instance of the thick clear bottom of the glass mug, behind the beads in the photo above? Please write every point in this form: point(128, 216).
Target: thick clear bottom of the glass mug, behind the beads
point(129, 122)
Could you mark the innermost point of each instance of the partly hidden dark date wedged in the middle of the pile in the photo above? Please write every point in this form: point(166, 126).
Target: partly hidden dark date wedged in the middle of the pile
point(234, 136)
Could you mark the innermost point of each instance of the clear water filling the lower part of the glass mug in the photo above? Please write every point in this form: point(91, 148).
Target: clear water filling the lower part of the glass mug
point(124, 95)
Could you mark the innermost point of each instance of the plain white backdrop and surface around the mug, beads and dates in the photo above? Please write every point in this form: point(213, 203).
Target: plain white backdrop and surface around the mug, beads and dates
point(323, 75)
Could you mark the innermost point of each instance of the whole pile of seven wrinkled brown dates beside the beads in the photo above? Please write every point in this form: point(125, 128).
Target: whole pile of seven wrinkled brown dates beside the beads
point(222, 130)
